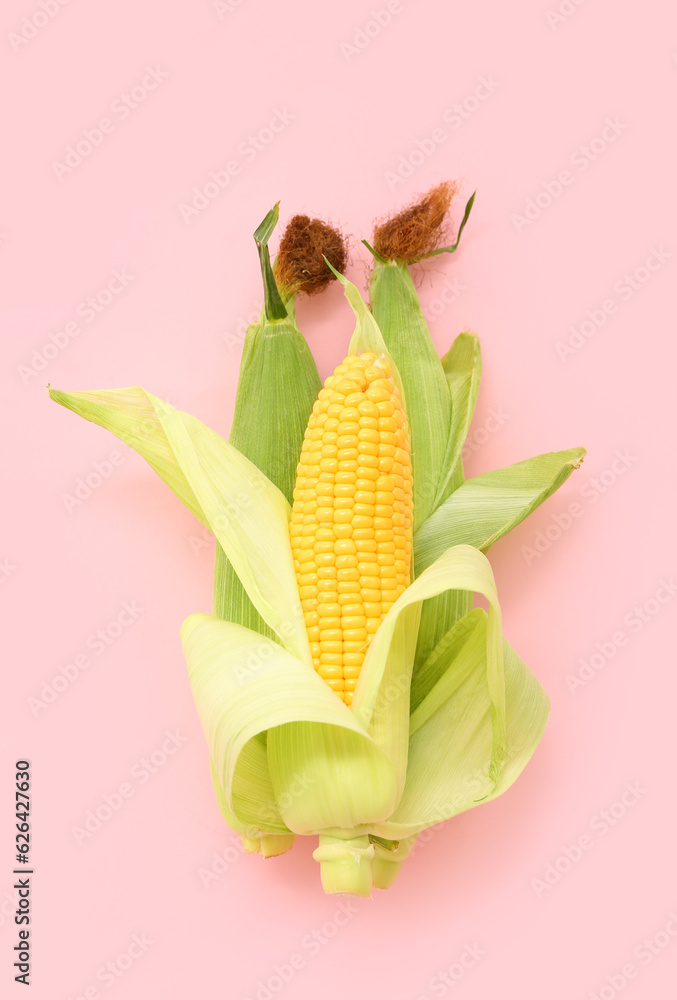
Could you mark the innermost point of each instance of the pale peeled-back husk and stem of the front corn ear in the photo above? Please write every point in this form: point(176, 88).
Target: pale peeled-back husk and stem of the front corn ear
point(288, 757)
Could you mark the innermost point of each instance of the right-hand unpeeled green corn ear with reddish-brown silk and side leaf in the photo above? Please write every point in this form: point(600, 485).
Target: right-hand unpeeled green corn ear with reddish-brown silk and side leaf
point(441, 396)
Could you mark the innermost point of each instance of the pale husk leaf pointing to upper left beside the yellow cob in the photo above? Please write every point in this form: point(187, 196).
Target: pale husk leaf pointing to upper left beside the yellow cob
point(229, 495)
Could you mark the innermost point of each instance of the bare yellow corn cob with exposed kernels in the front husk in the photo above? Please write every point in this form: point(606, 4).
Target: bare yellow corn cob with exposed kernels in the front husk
point(351, 520)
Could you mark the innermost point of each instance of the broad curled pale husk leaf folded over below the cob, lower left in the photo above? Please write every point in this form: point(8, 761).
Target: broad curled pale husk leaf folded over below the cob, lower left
point(289, 755)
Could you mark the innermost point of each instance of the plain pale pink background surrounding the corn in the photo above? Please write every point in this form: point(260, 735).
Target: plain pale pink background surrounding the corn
point(176, 329)
